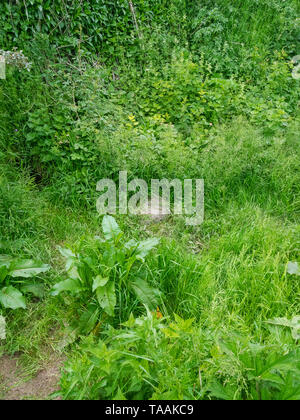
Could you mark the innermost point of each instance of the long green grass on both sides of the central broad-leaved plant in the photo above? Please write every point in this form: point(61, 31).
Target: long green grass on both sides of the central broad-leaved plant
point(229, 274)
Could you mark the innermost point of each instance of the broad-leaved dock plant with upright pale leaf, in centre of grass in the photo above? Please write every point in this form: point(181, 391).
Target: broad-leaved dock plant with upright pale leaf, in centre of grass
point(109, 272)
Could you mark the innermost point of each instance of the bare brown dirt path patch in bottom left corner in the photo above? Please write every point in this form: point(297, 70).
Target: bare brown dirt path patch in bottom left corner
point(14, 386)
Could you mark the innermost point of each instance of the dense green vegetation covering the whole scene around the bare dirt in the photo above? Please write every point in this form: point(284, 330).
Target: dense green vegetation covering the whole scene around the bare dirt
point(162, 89)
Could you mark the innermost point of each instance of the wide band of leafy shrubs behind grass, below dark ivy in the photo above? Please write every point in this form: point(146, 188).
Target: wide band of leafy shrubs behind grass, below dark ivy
point(81, 126)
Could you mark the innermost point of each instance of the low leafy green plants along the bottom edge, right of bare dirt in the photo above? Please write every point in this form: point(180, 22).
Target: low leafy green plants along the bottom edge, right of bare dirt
point(151, 358)
